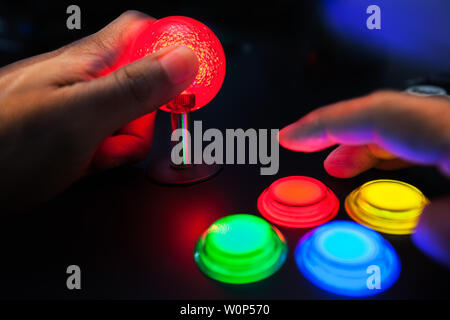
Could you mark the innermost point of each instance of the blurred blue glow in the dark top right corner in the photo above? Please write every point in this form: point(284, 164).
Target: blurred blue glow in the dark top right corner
point(415, 30)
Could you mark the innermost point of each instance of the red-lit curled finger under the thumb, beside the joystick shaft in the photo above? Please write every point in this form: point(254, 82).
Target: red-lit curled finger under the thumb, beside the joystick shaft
point(132, 144)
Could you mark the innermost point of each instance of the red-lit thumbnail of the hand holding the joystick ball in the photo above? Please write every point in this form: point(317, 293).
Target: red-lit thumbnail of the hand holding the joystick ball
point(179, 64)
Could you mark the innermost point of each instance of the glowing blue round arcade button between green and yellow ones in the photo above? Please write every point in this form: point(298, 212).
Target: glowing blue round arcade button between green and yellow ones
point(348, 259)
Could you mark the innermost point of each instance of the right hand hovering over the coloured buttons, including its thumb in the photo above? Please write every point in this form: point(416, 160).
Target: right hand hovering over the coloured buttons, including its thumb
point(386, 130)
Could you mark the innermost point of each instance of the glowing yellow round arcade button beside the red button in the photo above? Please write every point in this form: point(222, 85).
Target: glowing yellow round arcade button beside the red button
point(387, 206)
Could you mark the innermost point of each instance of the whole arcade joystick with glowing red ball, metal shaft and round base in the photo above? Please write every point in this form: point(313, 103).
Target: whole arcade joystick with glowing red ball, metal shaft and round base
point(183, 31)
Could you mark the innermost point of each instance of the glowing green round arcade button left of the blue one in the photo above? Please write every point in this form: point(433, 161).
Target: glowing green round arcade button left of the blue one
point(240, 248)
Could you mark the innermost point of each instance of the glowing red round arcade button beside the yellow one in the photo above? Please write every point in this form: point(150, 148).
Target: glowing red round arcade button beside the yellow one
point(298, 202)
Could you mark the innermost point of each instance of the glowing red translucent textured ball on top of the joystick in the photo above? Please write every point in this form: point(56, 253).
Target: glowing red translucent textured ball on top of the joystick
point(183, 31)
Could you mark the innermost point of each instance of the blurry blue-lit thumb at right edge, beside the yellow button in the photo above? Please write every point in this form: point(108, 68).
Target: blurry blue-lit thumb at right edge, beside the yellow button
point(432, 234)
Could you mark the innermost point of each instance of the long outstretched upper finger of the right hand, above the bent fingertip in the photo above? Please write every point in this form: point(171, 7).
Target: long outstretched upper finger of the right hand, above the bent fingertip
point(414, 128)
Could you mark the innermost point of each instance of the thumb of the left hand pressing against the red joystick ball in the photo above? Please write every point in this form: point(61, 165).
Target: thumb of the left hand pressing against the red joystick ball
point(128, 93)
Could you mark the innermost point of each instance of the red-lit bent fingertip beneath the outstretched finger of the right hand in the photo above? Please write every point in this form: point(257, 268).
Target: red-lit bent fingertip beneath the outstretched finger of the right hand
point(349, 161)
